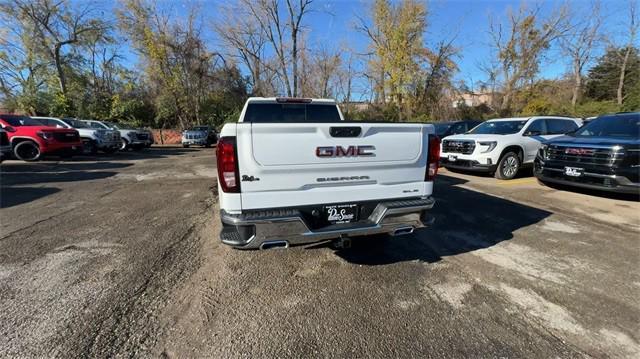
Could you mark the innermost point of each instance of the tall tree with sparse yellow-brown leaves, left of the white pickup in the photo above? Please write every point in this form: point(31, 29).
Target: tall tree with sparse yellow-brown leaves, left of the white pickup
point(178, 65)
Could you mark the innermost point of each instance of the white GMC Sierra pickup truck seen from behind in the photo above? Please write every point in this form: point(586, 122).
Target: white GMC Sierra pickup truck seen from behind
point(292, 171)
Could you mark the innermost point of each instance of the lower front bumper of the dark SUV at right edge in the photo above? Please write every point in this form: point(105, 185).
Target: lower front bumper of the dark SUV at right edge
point(589, 180)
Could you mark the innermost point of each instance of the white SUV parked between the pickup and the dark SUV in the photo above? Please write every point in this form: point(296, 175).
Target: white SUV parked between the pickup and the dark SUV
point(503, 145)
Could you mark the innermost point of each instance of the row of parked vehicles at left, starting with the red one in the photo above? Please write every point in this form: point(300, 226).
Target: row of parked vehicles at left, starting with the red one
point(29, 138)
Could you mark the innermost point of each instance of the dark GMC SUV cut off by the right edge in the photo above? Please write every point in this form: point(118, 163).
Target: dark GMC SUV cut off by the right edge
point(604, 154)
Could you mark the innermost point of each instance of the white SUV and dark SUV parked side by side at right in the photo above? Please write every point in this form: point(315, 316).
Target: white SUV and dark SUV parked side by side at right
point(601, 154)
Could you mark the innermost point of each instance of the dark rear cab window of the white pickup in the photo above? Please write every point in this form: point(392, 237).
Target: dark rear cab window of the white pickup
point(291, 113)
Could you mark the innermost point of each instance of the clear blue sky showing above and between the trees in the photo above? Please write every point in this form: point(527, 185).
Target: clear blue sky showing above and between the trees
point(332, 24)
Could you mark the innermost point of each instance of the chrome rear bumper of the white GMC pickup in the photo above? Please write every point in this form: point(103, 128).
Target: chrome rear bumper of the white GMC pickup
point(251, 230)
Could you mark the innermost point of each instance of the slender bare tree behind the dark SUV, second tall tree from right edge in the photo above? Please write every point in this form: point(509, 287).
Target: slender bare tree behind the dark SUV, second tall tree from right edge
point(579, 45)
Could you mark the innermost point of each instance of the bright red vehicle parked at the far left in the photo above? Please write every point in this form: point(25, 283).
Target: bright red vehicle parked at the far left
point(31, 139)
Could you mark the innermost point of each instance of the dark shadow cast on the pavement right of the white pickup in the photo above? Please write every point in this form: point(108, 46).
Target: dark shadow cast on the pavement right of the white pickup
point(466, 221)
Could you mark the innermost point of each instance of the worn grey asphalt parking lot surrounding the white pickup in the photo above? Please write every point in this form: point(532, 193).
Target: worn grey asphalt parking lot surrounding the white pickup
point(120, 256)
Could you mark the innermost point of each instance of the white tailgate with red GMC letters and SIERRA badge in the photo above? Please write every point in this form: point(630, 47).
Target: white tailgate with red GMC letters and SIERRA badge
point(297, 164)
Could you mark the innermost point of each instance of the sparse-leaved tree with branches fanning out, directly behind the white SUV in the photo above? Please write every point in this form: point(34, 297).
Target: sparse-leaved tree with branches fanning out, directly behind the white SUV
point(520, 45)
